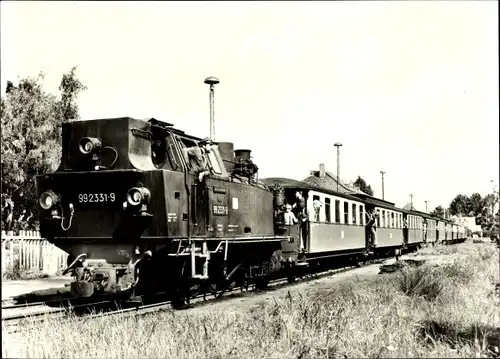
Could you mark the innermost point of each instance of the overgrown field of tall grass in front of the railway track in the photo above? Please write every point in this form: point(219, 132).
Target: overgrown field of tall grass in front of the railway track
point(448, 310)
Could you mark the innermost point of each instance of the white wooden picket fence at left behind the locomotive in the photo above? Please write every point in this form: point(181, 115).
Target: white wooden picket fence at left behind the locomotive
point(28, 252)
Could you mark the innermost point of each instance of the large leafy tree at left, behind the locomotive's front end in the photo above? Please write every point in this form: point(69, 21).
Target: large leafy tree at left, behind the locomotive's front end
point(31, 124)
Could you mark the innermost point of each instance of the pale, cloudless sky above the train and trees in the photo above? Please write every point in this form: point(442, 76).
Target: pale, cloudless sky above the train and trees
point(410, 88)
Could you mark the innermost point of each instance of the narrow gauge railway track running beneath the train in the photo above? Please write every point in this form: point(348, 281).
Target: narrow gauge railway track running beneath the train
point(112, 307)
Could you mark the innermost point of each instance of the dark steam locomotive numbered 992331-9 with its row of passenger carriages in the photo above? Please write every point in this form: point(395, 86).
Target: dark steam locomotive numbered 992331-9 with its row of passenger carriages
point(129, 206)
